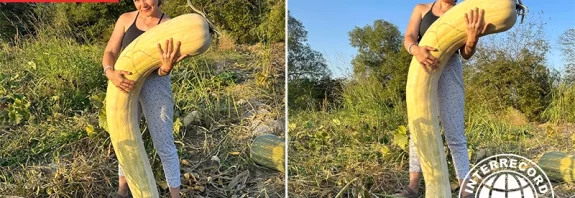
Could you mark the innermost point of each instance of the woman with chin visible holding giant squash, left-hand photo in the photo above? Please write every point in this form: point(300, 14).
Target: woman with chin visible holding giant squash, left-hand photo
point(156, 100)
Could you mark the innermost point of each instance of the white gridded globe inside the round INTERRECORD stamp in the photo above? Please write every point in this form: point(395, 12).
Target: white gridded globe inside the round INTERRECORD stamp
point(506, 184)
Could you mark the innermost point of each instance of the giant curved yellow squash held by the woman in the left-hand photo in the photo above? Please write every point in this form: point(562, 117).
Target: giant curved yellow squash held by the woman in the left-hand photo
point(141, 58)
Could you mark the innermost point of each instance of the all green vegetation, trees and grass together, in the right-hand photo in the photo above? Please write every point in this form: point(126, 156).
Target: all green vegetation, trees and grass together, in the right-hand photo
point(350, 138)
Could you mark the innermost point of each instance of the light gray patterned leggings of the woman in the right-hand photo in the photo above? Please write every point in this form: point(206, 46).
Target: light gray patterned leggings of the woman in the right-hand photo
point(451, 105)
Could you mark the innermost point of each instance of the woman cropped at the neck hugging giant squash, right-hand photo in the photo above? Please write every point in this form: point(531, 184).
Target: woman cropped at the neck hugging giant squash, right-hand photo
point(450, 87)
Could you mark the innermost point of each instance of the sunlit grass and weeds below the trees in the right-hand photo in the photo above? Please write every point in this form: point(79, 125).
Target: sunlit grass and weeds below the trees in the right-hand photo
point(361, 149)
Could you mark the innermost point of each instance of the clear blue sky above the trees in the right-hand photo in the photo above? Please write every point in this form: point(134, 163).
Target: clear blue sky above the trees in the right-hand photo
point(328, 24)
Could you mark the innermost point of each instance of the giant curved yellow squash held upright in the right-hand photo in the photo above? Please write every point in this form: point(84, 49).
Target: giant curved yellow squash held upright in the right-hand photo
point(447, 34)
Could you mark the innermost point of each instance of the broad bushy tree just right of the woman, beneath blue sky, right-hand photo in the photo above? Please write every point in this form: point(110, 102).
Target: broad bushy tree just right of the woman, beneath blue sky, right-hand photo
point(509, 70)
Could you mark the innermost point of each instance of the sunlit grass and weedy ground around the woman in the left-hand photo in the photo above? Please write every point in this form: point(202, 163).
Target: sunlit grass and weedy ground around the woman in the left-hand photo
point(53, 143)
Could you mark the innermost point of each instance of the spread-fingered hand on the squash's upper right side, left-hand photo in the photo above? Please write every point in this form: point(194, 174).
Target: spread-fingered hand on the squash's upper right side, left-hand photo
point(168, 57)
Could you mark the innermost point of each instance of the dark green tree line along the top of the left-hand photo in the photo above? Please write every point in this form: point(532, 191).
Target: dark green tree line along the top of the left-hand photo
point(246, 22)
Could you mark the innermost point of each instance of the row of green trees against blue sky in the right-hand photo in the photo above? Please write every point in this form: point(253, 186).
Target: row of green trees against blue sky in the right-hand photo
point(508, 70)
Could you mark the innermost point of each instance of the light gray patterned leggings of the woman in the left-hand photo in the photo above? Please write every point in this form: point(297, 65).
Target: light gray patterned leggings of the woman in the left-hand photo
point(157, 105)
